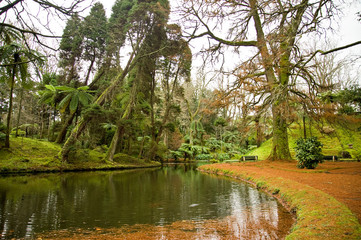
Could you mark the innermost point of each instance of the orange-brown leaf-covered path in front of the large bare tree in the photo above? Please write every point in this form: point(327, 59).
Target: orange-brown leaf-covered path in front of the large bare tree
point(339, 179)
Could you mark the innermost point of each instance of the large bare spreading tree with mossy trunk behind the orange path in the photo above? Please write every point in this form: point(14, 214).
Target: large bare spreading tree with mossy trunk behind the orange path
point(272, 30)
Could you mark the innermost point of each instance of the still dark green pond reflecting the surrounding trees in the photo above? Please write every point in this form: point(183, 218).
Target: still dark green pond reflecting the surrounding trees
point(37, 204)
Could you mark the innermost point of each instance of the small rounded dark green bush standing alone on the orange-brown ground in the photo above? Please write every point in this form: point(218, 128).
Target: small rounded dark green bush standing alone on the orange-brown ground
point(308, 152)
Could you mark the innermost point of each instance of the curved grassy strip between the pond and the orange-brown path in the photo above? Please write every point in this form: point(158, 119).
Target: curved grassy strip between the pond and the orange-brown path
point(319, 215)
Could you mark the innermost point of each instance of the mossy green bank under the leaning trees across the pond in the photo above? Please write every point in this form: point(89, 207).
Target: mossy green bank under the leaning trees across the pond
point(30, 155)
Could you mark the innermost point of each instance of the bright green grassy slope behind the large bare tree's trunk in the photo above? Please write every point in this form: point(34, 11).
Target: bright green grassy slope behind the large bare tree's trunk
point(333, 143)
